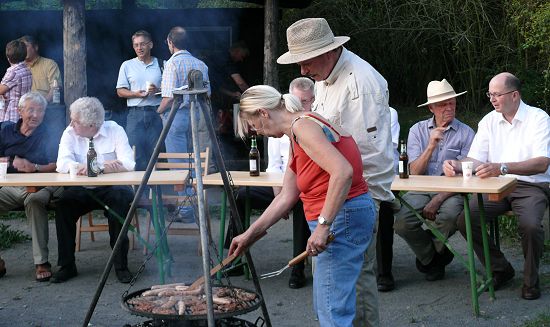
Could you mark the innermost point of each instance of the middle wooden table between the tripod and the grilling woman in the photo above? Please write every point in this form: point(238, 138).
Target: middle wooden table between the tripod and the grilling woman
point(240, 178)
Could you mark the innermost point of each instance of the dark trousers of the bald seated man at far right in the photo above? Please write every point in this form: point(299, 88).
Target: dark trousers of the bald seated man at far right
point(528, 201)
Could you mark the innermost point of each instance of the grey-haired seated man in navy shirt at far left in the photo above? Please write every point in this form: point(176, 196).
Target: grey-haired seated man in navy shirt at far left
point(26, 146)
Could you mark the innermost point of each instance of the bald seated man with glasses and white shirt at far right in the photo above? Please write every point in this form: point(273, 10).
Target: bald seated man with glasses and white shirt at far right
point(512, 140)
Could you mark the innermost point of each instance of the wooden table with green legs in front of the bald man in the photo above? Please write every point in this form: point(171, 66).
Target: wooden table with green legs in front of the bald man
point(496, 189)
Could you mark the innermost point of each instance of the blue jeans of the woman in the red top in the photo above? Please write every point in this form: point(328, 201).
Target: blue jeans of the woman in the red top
point(338, 267)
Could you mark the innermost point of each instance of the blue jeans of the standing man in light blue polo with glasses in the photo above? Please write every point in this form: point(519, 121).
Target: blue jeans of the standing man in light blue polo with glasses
point(143, 127)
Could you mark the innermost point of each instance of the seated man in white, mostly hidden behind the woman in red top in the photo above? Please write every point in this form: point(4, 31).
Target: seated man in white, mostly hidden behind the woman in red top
point(261, 197)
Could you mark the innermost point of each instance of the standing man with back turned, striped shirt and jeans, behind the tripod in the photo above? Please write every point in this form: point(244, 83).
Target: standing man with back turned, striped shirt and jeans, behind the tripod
point(175, 74)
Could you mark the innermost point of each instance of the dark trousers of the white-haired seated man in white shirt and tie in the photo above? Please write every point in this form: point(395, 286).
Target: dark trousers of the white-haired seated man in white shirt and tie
point(76, 201)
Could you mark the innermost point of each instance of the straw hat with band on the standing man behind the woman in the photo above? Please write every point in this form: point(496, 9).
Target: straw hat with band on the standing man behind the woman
point(309, 38)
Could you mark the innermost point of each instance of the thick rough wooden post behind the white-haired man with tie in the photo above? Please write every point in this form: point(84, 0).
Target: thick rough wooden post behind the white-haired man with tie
point(74, 51)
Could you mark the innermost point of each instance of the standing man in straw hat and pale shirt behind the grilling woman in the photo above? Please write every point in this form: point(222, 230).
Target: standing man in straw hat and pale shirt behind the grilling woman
point(350, 93)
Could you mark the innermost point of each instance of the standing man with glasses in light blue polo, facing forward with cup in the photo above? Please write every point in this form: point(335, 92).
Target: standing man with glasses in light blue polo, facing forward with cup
point(138, 80)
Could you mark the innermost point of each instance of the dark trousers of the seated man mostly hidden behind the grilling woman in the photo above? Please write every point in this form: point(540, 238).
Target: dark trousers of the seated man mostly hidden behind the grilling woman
point(260, 198)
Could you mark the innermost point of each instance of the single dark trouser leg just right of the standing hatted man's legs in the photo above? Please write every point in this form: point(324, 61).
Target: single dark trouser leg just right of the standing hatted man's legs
point(384, 239)
